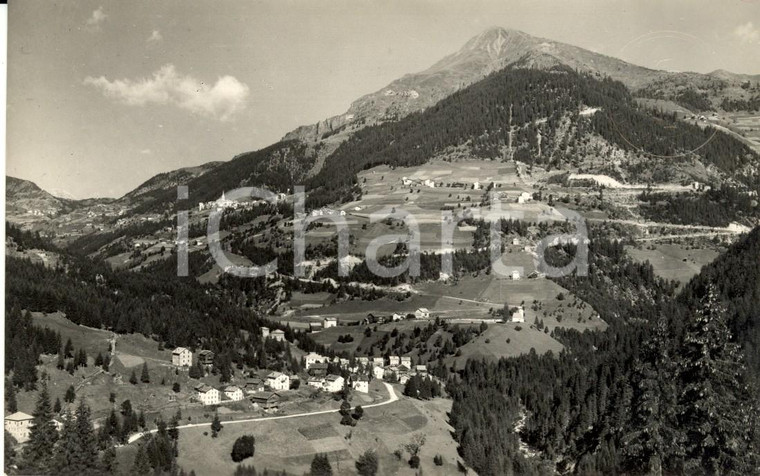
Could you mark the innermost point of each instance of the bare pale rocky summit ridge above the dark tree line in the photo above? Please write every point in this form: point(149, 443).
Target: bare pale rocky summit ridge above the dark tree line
point(495, 49)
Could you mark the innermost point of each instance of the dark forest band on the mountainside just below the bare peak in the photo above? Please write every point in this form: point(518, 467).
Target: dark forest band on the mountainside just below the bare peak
point(541, 110)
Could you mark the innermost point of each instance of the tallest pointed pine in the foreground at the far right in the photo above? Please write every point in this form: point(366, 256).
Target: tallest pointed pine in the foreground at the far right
point(716, 402)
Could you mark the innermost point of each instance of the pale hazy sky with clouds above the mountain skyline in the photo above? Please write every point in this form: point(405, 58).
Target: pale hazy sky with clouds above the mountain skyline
point(103, 95)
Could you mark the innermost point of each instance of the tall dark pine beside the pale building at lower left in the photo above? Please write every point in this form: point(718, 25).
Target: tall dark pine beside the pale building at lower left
point(38, 452)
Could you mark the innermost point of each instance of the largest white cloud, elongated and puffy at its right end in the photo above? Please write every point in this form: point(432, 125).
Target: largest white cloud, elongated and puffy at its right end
point(220, 100)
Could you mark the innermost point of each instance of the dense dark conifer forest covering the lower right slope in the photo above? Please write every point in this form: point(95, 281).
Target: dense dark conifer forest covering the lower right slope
point(665, 390)
